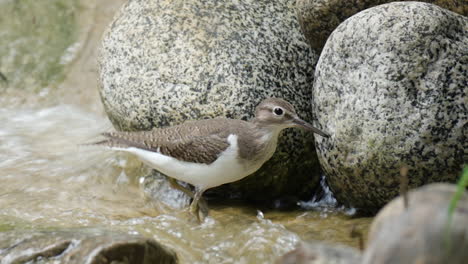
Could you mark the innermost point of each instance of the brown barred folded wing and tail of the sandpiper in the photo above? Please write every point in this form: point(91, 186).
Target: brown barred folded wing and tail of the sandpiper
point(190, 142)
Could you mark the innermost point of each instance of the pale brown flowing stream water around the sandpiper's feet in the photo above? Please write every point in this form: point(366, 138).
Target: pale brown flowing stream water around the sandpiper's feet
point(49, 180)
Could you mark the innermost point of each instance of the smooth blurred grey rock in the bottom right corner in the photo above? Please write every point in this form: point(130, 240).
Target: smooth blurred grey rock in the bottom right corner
point(420, 234)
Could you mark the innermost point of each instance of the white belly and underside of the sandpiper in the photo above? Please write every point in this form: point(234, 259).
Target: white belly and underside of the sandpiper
point(225, 169)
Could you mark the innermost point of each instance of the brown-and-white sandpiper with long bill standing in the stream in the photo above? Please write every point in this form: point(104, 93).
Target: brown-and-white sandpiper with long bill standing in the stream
point(211, 152)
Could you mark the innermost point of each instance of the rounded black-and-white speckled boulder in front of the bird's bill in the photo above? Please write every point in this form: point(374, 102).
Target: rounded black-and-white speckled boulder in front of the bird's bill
point(390, 86)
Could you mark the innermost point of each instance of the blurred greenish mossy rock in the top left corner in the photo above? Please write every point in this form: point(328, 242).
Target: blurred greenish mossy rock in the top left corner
point(34, 38)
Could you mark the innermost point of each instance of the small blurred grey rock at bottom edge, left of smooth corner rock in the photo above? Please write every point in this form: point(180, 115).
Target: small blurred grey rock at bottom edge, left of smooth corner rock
point(321, 253)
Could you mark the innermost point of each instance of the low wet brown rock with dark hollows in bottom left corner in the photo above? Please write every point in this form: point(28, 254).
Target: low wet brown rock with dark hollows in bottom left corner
point(81, 246)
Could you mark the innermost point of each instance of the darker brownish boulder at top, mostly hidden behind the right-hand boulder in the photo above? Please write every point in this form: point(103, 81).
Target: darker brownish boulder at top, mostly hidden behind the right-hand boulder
point(318, 18)
